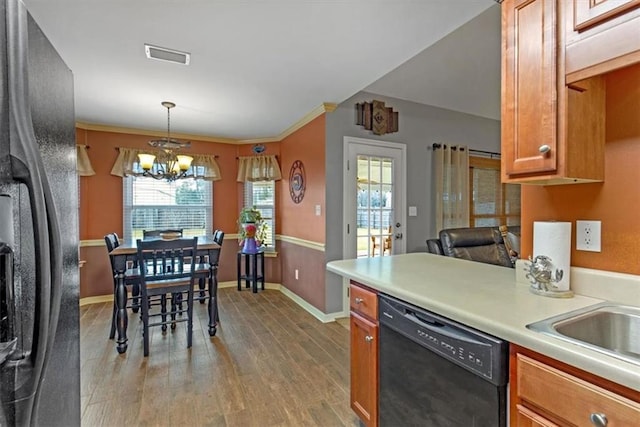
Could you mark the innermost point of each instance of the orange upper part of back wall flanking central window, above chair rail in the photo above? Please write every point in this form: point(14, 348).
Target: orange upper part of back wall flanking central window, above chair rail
point(101, 194)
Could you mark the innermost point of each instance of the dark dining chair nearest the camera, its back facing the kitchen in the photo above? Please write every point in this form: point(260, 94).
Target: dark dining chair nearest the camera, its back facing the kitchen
point(168, 268)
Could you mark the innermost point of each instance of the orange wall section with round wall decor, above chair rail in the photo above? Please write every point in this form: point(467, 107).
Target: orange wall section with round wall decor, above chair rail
point(307, 145)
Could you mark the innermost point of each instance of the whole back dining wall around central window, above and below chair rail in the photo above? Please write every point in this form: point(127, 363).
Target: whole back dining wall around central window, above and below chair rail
point(101, 204)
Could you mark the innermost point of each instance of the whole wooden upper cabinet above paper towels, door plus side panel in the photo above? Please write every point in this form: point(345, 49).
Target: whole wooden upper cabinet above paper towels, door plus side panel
point(552, 133)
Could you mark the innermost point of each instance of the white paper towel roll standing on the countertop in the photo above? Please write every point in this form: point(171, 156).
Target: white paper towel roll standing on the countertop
point(553, 239)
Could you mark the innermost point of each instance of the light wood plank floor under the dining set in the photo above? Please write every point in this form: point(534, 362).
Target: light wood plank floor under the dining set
point(270, 364)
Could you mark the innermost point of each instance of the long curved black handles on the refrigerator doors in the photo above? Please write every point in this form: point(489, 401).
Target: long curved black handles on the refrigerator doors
point(27, 167)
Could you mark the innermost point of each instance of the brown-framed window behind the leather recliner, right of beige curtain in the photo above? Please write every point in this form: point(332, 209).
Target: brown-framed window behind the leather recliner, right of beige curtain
point(492, 203)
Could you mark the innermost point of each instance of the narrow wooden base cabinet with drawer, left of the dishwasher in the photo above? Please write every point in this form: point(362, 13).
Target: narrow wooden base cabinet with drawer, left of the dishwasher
point(364, 353)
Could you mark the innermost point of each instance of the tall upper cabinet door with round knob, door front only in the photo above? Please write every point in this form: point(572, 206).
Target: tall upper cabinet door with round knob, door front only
point(529, 87)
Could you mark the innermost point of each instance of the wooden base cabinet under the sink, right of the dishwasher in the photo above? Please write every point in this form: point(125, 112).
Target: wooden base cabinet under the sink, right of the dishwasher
point(545, 392)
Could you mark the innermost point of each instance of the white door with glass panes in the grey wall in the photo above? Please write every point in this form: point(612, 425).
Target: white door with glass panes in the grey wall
point(374, 198)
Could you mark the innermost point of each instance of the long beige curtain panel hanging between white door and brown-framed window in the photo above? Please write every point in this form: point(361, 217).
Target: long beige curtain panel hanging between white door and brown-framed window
point(451, 181)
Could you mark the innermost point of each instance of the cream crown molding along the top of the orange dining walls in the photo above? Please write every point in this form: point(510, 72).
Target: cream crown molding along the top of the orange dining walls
point(326, 107)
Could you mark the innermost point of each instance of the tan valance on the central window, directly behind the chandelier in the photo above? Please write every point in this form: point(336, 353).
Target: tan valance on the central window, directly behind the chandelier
point(203, 166)
